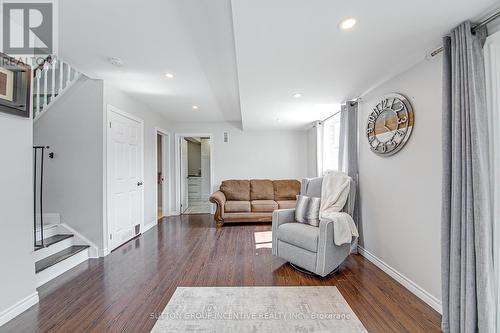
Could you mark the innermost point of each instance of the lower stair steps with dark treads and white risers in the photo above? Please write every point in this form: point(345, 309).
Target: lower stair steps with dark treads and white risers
point(61, 251)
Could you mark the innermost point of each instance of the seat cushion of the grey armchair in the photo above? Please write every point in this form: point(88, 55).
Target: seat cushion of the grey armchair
point(302, 235)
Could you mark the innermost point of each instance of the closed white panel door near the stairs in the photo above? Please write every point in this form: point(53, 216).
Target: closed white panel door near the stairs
point(125, 184)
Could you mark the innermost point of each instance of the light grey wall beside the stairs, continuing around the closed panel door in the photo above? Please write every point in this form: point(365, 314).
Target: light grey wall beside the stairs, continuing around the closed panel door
point(74, 128)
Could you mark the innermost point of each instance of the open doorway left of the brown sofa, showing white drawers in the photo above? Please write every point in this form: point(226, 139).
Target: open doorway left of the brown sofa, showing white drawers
point(195, 173)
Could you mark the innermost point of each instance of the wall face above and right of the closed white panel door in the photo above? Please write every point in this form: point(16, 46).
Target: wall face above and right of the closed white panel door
point(151, 119)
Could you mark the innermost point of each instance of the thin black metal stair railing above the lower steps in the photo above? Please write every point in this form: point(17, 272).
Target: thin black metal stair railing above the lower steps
point(38, 196)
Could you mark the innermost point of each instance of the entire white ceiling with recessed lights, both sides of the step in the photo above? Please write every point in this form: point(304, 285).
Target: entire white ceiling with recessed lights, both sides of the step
point(278, 47)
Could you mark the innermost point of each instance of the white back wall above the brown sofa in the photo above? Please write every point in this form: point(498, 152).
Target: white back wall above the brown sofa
point(257, 154)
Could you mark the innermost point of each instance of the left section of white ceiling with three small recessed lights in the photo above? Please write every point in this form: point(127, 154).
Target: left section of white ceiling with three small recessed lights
point(189, 38)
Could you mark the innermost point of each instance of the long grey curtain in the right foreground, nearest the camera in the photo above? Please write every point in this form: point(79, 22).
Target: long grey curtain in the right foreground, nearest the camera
point(467, 250)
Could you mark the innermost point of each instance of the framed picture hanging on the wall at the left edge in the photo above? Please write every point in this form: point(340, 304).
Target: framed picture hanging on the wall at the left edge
point(15, 86)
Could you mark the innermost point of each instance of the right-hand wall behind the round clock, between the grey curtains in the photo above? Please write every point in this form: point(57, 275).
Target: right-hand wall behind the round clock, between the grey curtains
point(401, 194)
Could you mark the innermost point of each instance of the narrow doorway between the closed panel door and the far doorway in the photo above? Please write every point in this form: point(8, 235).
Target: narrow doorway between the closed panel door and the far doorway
point(162, 174)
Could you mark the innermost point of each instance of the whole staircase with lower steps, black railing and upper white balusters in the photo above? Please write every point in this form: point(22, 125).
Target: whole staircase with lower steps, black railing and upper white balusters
point(57, 247)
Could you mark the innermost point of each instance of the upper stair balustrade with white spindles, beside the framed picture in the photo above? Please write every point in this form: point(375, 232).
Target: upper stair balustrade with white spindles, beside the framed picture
point(51, 79)
